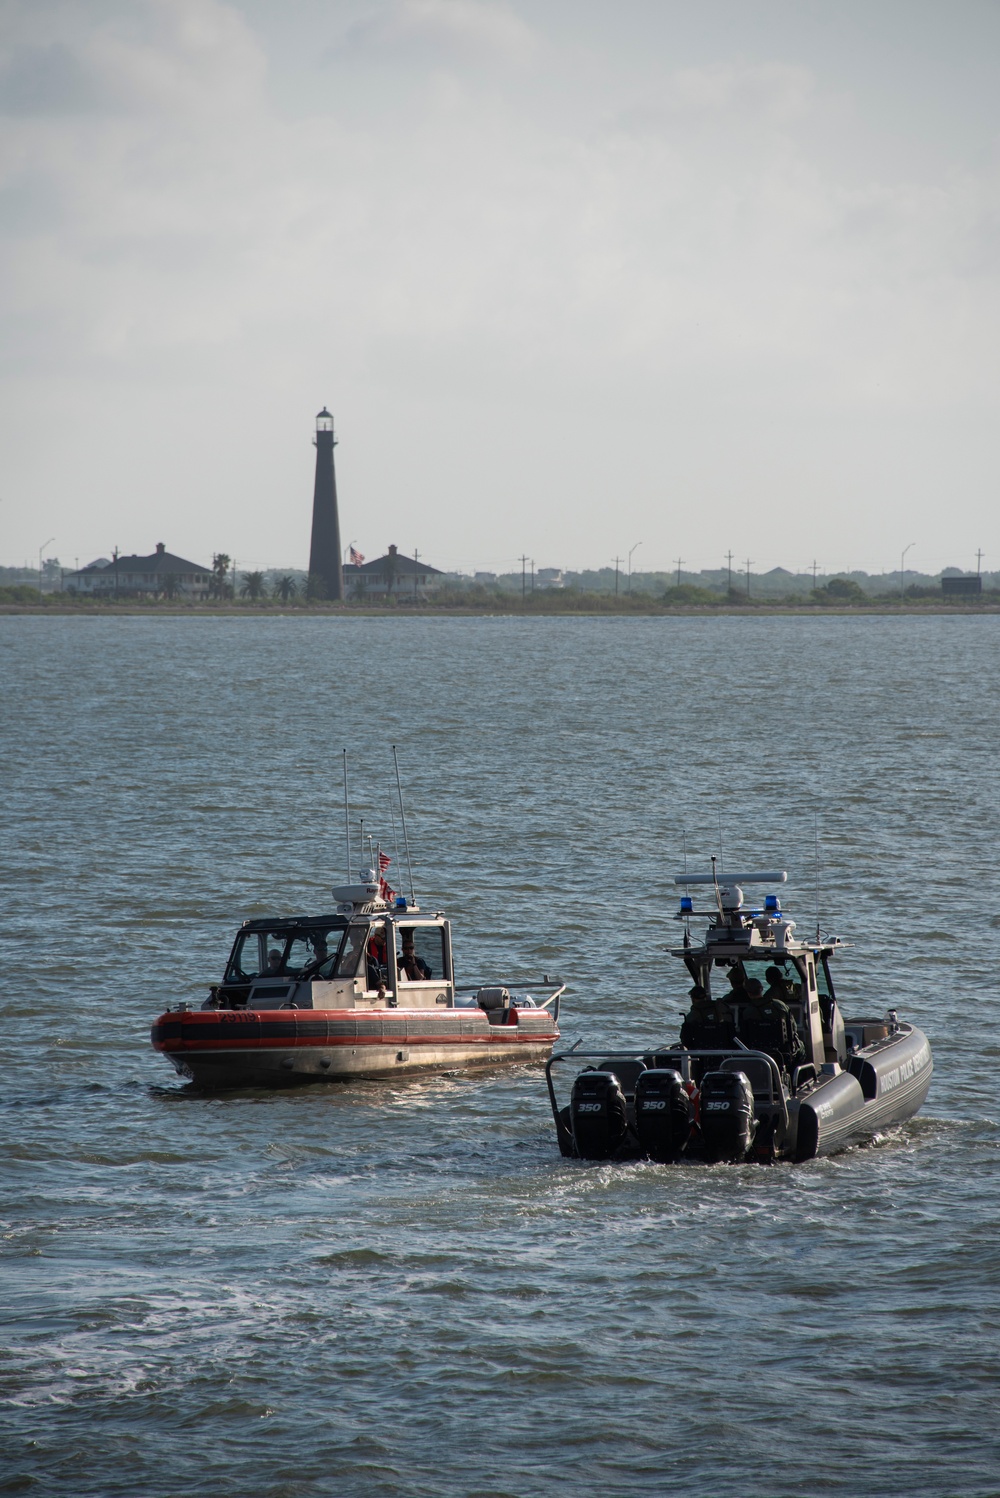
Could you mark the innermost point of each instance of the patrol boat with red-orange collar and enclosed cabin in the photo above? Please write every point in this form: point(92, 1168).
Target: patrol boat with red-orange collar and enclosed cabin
point(368, 991)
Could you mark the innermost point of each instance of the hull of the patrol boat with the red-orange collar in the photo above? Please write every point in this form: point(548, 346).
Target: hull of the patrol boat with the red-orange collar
point(284, 1048)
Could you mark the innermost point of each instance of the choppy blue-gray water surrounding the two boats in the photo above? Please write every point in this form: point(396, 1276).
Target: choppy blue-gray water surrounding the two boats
point(403, 1289)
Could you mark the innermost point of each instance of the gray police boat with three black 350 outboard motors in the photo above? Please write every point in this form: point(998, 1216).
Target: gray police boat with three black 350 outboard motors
point(757, 1076)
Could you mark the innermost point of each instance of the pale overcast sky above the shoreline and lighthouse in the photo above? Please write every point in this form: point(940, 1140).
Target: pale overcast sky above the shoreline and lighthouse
point(576, 279)
